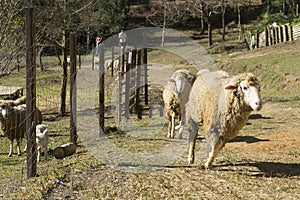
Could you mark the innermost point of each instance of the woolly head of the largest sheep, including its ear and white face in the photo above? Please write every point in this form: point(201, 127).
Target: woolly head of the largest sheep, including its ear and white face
point(249, 86)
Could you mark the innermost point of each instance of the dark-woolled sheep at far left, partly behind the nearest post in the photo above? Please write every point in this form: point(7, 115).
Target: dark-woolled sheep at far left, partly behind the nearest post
point(13, 123)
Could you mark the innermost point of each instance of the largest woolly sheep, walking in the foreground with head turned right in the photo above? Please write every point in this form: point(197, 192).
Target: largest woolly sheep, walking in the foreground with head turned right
point(222, 104)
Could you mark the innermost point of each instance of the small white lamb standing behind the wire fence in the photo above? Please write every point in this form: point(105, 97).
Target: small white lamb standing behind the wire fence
point(42, 139)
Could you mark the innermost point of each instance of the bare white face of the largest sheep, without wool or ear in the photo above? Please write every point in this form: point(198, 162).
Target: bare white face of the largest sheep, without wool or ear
point(251, 93)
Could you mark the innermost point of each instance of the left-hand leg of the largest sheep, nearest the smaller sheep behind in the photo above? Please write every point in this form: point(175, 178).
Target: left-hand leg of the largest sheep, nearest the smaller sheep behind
point(193, 130)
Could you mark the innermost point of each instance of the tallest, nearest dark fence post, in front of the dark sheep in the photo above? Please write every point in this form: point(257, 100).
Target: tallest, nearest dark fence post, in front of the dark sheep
point(30, 93)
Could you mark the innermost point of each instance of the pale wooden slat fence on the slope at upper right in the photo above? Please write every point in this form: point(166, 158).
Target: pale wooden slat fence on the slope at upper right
point(274, 35)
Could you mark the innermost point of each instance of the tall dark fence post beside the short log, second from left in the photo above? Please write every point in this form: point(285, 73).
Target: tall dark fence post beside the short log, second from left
point(73, 95)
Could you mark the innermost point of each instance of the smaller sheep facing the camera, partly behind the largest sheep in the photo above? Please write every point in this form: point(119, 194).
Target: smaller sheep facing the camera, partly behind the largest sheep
point(175, 96)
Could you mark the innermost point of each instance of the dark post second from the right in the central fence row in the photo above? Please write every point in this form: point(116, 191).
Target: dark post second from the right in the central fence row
point(138, 109)
